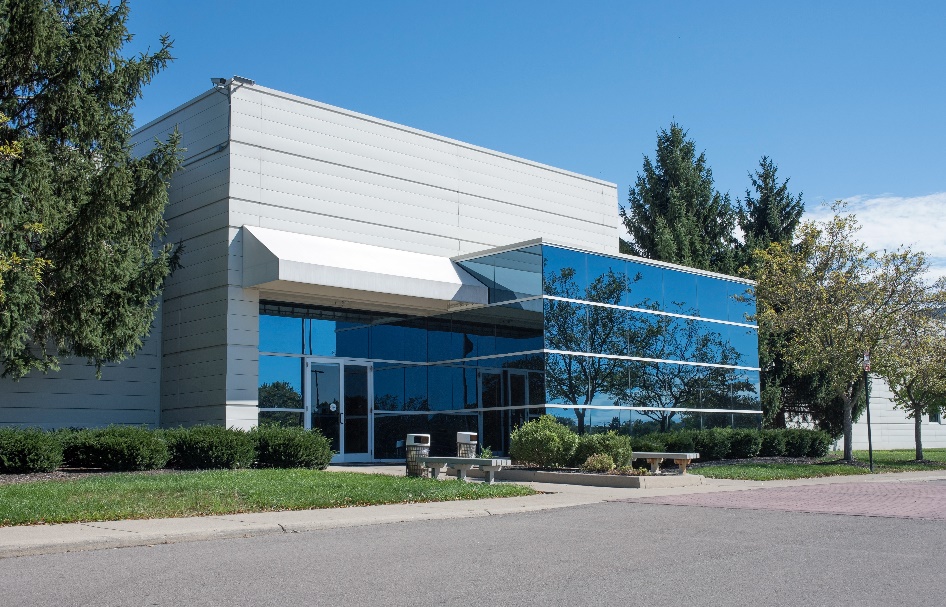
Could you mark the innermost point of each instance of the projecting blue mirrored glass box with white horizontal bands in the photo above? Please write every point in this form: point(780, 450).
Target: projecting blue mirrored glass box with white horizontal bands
point(631, 345)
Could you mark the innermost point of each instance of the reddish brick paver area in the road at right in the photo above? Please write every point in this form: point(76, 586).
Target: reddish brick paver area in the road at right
point(922, 500)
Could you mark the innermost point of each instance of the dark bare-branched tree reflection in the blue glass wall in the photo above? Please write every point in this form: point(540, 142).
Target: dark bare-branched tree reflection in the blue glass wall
point(651, 387)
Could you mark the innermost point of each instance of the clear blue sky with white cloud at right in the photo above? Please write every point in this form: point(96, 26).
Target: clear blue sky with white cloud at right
point(848, 98)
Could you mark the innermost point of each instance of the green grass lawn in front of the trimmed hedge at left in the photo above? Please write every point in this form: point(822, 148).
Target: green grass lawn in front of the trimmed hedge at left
point(179, 494)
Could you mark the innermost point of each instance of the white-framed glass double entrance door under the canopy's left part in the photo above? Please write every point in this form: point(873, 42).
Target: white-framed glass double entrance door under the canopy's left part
point(339, 392)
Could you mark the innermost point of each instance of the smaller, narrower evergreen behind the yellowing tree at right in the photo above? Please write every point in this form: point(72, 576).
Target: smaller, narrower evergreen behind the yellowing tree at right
point(771, 213)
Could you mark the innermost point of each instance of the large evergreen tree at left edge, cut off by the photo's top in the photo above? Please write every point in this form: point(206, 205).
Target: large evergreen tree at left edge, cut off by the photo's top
point(81, 257)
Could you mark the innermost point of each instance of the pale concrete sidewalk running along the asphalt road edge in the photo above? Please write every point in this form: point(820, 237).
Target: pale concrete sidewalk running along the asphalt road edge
point(45, 539)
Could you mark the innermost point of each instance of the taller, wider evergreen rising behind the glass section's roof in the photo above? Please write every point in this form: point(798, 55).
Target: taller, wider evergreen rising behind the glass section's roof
point(674, 214)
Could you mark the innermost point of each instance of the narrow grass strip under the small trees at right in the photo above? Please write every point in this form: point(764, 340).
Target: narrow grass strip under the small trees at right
point(898, 460)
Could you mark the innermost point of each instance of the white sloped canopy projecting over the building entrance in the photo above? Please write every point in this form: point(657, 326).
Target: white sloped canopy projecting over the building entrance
point(317, 267)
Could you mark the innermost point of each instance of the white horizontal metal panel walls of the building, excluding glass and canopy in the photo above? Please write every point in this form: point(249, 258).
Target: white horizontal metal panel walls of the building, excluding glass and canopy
point(259, 157)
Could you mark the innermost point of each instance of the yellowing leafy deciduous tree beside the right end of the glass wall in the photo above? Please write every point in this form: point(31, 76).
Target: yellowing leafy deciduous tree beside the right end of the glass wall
point(838, 300)
